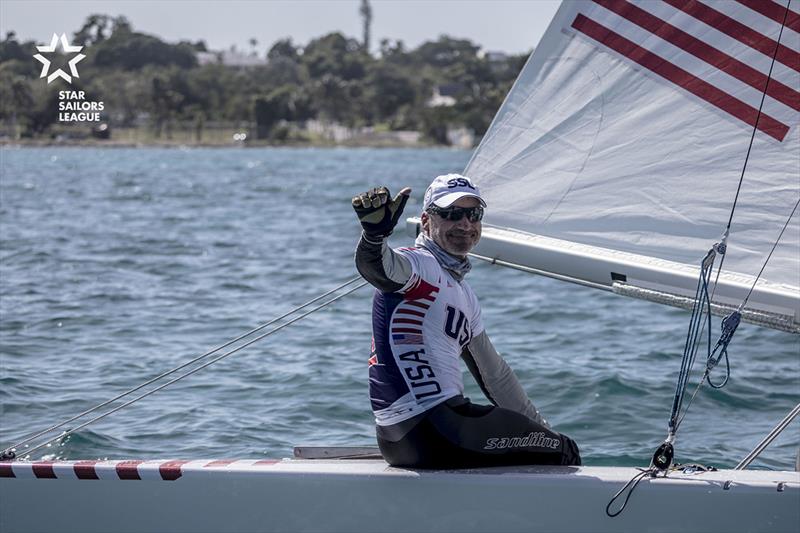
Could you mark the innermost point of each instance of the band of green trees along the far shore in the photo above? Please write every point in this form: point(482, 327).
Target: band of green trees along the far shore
point(332, 78)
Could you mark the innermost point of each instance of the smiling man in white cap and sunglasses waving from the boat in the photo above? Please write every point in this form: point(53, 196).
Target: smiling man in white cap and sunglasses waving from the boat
point(425, 318)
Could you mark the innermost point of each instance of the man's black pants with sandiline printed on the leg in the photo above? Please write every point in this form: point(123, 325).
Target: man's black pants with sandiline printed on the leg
point(460, 434)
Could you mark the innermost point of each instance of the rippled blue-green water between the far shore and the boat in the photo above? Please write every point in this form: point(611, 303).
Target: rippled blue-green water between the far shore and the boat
point(118, 264)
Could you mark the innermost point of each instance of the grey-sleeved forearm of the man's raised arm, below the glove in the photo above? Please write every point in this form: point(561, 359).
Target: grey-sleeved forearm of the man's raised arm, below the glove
point(380, 265)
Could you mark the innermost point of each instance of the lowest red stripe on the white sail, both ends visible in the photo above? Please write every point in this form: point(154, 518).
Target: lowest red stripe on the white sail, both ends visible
point(680, 77)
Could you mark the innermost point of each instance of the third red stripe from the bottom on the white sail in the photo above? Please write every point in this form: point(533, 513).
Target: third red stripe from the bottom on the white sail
point(738, 31)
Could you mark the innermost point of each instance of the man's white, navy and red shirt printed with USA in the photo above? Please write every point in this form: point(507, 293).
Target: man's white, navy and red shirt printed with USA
point(418, 333)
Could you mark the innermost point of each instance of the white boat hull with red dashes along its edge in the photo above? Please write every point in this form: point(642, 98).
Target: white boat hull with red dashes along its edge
point(370, 496)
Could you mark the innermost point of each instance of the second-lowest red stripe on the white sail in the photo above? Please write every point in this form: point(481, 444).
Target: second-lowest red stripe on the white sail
point(709, 54)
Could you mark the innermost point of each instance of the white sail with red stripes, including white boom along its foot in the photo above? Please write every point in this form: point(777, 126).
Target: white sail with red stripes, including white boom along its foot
point(615, 158)
